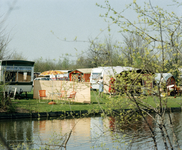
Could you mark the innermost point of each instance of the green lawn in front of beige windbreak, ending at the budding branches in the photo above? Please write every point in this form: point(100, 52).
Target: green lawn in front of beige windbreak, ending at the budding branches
point(33, 105)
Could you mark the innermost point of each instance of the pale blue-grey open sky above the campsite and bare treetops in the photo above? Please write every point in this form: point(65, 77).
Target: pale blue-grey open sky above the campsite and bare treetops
point(37, 28)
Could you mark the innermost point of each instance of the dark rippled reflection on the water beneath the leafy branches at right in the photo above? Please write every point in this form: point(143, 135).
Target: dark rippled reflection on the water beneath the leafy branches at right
point(132, 130)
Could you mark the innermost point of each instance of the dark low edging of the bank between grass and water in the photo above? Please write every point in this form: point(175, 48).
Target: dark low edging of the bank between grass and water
point(82, 113)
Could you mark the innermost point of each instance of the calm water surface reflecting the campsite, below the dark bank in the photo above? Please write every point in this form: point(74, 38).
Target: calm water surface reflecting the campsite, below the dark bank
point(87, 133)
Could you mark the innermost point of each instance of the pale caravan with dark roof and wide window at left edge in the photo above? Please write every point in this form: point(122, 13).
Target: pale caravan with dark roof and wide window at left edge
point(16, 75)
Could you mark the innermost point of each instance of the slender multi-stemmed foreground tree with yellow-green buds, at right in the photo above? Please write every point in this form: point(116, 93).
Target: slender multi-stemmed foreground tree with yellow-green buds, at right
point(159, 28)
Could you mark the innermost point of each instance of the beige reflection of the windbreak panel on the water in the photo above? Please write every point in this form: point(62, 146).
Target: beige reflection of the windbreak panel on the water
point(80, 129)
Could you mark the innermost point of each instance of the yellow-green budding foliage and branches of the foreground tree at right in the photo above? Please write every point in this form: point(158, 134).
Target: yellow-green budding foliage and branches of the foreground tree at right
point(153, 45)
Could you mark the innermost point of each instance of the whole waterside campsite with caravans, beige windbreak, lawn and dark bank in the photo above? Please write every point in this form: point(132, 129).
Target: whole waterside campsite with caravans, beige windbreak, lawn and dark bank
point(68, 94)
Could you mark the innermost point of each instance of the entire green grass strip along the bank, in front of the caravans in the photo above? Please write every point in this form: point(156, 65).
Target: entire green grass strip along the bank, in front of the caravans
point(97, 103)
